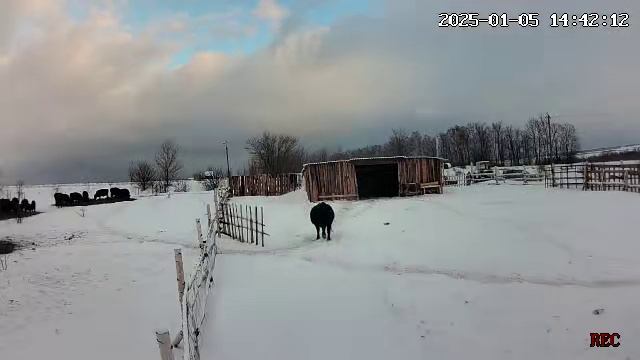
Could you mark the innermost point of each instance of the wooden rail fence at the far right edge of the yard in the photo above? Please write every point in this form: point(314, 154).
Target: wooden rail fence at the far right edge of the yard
point(595, 177)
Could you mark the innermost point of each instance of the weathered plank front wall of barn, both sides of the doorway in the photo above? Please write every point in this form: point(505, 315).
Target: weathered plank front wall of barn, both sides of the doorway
point(337, 180)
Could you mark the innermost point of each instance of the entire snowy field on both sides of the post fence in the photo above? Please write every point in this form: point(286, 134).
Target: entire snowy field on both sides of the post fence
point(481, 272)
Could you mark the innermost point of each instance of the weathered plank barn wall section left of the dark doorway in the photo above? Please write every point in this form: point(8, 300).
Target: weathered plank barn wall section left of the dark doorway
point(331, 181)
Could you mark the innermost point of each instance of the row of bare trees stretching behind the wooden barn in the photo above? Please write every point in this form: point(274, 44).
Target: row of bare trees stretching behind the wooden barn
point(540, 141)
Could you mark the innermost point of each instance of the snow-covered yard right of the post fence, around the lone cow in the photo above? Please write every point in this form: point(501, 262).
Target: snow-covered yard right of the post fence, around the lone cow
point(482, 272)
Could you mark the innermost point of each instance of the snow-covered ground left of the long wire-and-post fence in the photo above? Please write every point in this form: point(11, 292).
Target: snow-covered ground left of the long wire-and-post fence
point(95, 287)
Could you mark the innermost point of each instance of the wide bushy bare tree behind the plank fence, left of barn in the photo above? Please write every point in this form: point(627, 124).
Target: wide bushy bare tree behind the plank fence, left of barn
point(275, 154)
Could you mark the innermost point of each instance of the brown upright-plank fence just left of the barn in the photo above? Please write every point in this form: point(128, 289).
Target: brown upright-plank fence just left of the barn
point(264, 185)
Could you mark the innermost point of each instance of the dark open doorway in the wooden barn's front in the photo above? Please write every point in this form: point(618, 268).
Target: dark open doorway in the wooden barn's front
point(379, 180)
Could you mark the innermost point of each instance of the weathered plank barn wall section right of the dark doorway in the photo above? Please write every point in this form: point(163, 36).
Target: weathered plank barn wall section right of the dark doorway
point(420, 175)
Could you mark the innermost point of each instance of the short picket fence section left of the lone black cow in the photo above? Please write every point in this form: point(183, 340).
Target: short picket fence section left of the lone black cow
point(242, 222)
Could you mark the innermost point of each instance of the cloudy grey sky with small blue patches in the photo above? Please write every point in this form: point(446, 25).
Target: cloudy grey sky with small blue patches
point(88, 86)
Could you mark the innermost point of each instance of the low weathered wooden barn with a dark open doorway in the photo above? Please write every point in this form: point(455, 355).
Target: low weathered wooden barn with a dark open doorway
point(373, 177)
